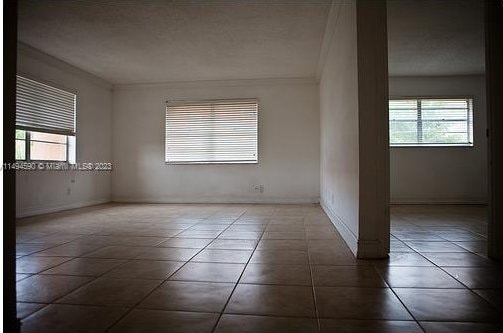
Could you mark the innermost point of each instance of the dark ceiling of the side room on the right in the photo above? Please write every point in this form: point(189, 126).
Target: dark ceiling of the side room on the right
point(436, 37)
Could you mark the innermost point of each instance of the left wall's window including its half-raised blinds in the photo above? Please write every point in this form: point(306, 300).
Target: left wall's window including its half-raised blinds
point(45, 122)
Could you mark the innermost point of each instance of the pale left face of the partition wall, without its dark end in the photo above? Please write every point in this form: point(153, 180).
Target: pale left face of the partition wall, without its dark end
point(339, 175)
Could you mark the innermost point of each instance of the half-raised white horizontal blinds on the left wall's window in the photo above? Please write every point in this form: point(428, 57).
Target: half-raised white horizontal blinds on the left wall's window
point(44, 108)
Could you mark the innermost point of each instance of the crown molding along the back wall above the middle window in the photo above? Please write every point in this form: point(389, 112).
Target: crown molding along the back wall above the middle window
point(218, 83)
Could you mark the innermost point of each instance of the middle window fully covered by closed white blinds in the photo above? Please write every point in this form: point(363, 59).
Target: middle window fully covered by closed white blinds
point(223, 131)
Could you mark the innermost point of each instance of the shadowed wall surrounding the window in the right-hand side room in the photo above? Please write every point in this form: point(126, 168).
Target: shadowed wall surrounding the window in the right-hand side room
point(443, 174)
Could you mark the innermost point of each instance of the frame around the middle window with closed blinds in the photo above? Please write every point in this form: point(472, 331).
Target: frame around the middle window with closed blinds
point(212, 101)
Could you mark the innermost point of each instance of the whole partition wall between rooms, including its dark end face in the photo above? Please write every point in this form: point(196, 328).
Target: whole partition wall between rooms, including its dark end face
point(354, 130)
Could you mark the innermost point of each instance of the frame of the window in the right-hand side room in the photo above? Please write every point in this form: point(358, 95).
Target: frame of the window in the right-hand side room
point(434, 145)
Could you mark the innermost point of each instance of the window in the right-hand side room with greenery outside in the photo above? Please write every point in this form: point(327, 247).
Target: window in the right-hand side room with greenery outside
point(431, 122)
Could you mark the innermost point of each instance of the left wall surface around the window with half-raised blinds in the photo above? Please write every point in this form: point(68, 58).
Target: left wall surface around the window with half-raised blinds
point(39, 192)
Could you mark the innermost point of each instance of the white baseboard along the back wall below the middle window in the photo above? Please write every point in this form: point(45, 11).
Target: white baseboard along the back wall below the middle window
point(217, 200)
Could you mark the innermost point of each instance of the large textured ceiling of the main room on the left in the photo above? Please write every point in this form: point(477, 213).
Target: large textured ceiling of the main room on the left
point(126, 41)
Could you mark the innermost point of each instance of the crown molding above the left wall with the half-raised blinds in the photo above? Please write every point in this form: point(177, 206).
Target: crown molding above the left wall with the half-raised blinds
point(29, 51)
